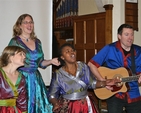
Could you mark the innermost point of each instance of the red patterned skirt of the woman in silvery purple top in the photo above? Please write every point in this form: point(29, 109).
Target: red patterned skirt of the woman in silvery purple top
point(77, 106)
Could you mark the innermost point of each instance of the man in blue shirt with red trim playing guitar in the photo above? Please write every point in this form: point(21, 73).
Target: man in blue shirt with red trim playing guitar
point(116, 55)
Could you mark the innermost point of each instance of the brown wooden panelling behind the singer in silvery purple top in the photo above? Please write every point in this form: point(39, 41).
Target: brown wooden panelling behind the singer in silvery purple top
point(89, 35)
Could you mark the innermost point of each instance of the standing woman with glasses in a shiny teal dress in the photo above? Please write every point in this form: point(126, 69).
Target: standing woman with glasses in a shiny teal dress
point(24, 36)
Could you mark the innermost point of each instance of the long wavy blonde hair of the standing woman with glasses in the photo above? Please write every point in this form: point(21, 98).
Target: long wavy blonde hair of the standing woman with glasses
point(16, 28)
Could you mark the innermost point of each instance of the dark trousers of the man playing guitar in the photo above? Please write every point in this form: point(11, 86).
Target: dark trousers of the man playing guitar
point(116, 105)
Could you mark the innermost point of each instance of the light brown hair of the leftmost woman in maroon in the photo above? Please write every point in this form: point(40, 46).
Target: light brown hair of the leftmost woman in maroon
point(8, 52)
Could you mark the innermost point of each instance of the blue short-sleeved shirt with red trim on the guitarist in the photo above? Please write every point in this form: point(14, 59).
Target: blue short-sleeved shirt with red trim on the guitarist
point(113, 56)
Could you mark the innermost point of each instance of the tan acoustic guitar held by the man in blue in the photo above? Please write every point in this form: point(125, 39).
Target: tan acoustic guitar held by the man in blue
point(107, 73)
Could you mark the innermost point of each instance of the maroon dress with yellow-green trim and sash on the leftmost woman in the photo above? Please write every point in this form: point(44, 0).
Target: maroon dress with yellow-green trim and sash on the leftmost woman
point(13, 98)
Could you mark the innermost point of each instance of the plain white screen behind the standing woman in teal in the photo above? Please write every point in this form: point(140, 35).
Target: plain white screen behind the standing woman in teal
point(41, 11)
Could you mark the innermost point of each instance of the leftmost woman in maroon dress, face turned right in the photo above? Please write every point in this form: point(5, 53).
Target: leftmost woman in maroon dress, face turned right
point(13, 98)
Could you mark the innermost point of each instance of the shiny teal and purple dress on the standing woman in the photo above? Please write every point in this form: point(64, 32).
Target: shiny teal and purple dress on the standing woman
point(37, 91)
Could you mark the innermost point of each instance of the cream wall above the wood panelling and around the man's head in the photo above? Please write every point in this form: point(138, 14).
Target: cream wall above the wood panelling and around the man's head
point(89, 7)
